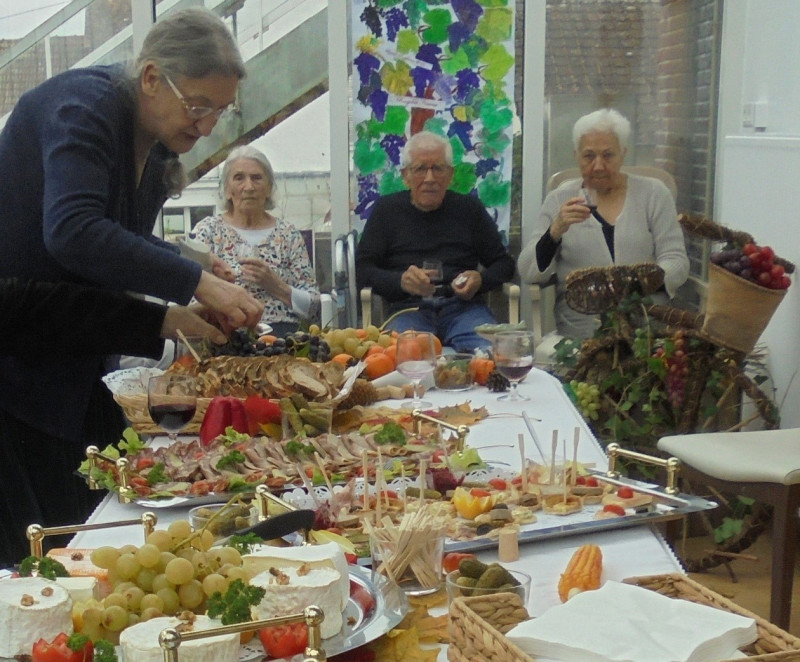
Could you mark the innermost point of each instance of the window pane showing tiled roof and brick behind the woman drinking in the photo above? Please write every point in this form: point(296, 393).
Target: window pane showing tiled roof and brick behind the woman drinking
point(655, 62)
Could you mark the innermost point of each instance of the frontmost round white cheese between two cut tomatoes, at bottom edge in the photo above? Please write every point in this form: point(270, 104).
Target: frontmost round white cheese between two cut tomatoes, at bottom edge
point(139, 643)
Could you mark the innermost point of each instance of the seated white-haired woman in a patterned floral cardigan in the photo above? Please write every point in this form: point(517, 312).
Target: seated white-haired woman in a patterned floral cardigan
point(267, 255)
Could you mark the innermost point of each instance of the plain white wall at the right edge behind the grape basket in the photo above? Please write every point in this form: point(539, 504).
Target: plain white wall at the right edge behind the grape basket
point(758, 169)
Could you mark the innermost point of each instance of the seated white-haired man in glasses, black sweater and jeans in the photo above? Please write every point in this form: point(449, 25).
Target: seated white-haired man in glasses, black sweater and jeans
point(410, 233)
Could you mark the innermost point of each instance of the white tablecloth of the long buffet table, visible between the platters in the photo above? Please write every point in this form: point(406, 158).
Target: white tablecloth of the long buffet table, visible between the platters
point(639, 550)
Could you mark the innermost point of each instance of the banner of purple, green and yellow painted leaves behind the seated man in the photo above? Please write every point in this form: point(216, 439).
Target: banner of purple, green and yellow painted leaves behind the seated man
point(441, 66)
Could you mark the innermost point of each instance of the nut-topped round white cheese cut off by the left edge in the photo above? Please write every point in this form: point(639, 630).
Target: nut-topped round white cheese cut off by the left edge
point(31, 608)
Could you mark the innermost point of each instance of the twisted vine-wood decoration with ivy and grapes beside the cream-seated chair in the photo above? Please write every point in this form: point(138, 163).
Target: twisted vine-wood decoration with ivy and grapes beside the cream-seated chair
point(651, 370)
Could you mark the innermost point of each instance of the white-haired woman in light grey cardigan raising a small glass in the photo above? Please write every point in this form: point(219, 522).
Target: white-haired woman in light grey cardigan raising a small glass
point(632, 219)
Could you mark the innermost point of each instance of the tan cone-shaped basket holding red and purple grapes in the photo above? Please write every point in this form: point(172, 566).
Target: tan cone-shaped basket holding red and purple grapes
point(737, 311)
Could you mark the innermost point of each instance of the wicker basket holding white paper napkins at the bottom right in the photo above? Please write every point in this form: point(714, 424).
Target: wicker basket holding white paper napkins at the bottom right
point(478, 624)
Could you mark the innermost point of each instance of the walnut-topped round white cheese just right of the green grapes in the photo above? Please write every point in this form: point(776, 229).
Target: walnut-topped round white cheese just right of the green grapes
point(316, 587)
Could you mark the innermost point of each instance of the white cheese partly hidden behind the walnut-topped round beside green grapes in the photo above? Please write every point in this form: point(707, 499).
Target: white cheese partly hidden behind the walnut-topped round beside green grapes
point(330, 555)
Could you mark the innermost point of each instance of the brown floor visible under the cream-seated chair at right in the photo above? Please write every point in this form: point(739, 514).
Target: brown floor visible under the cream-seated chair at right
point(752, 590)
